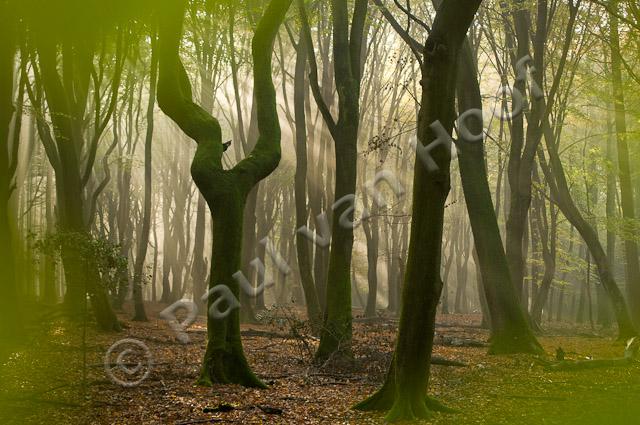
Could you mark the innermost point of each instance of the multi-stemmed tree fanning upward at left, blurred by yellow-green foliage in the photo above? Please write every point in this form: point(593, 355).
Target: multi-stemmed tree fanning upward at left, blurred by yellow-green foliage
point(75, 88)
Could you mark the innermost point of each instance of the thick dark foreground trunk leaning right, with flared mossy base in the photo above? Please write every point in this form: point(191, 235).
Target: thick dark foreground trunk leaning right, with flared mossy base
point(404, 392)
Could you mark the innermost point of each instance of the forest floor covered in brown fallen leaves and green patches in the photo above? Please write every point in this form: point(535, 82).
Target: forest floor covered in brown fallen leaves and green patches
point(43, 380)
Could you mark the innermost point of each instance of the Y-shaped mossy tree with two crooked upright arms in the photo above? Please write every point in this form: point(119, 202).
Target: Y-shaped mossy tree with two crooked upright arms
point(225, 191)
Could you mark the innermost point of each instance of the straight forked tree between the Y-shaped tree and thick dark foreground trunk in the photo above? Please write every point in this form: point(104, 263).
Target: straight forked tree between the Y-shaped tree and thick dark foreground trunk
point(348, 46)
